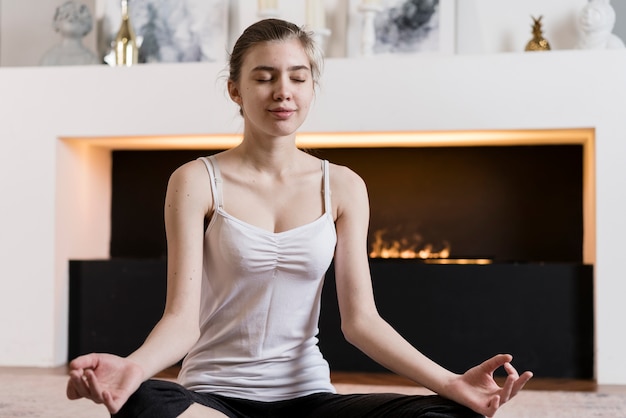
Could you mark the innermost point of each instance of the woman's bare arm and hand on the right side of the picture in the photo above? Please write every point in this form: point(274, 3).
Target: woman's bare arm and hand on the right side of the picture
point(363, 327)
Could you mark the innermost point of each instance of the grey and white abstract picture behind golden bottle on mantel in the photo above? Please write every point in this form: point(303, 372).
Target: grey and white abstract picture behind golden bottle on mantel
point(171, 30)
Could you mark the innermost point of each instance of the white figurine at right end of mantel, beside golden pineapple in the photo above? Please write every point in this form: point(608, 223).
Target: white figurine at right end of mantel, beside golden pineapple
point(596, 22)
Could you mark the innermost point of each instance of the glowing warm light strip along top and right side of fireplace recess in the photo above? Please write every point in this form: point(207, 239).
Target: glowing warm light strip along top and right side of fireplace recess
point(571, 136)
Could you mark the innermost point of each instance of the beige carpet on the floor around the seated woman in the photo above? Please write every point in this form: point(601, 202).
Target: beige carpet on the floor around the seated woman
point(35, 396)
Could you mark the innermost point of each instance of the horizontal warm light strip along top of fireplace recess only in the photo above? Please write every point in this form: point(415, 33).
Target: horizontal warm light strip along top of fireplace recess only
point(354, 139)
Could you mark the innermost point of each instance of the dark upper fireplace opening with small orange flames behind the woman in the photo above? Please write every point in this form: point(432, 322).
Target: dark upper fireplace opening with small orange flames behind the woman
point(494, 203)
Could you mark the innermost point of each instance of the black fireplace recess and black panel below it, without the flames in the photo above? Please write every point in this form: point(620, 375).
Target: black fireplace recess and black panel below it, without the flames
point(518, 206)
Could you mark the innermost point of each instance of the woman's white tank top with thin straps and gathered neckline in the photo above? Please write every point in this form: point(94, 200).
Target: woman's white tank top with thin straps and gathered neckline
point(260, 306)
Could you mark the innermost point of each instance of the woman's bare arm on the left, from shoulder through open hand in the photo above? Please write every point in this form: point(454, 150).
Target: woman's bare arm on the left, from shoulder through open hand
point(110, 379)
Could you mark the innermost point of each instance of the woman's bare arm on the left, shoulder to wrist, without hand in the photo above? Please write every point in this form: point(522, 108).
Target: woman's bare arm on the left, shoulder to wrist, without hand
point(187, 202)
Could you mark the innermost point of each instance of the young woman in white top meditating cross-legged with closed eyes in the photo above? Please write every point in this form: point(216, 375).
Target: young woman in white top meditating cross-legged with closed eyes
point(244, 293)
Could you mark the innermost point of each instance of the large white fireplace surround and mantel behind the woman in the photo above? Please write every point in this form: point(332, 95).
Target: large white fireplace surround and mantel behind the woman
point(55, 167)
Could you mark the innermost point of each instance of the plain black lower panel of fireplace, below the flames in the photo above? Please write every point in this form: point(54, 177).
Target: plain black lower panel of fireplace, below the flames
point(456, 314)
